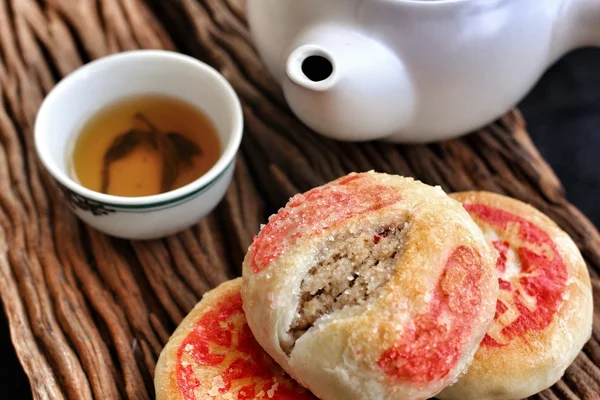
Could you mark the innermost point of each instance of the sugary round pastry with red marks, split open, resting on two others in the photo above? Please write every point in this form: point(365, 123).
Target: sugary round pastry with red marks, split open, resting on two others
point(373, 286)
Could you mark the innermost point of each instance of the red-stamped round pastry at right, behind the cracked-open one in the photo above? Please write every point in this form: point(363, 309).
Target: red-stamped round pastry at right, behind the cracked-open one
point(545, 307)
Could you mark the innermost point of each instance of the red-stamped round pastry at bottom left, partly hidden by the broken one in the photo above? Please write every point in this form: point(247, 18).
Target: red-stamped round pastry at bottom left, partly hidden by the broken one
point(213, 355)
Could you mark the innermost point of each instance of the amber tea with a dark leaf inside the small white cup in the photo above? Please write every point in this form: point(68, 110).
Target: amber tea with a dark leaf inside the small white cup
point(145, 145)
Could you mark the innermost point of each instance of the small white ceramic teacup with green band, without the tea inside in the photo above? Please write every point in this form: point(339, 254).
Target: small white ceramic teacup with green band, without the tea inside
point(102, 82)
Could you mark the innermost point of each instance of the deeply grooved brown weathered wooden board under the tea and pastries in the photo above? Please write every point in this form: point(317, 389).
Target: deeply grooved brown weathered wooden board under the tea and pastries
point(89, 314)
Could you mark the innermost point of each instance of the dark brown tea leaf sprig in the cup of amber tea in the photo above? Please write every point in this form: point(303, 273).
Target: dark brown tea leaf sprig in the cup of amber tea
point(175, 149)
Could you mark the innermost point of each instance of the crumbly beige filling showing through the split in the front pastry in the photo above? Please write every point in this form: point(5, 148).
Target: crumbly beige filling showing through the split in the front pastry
point(349, 272)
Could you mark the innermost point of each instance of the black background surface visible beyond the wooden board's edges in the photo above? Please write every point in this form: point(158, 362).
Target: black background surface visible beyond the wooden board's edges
point(563, 117)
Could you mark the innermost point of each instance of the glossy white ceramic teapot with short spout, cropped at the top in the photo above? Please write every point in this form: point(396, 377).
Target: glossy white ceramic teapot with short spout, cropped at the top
point(413, 70)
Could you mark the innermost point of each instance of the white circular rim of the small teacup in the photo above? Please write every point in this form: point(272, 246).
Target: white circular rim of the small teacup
point(214, 173)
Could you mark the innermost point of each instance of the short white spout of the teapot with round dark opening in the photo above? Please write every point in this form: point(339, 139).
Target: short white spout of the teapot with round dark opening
point(347, 85)
